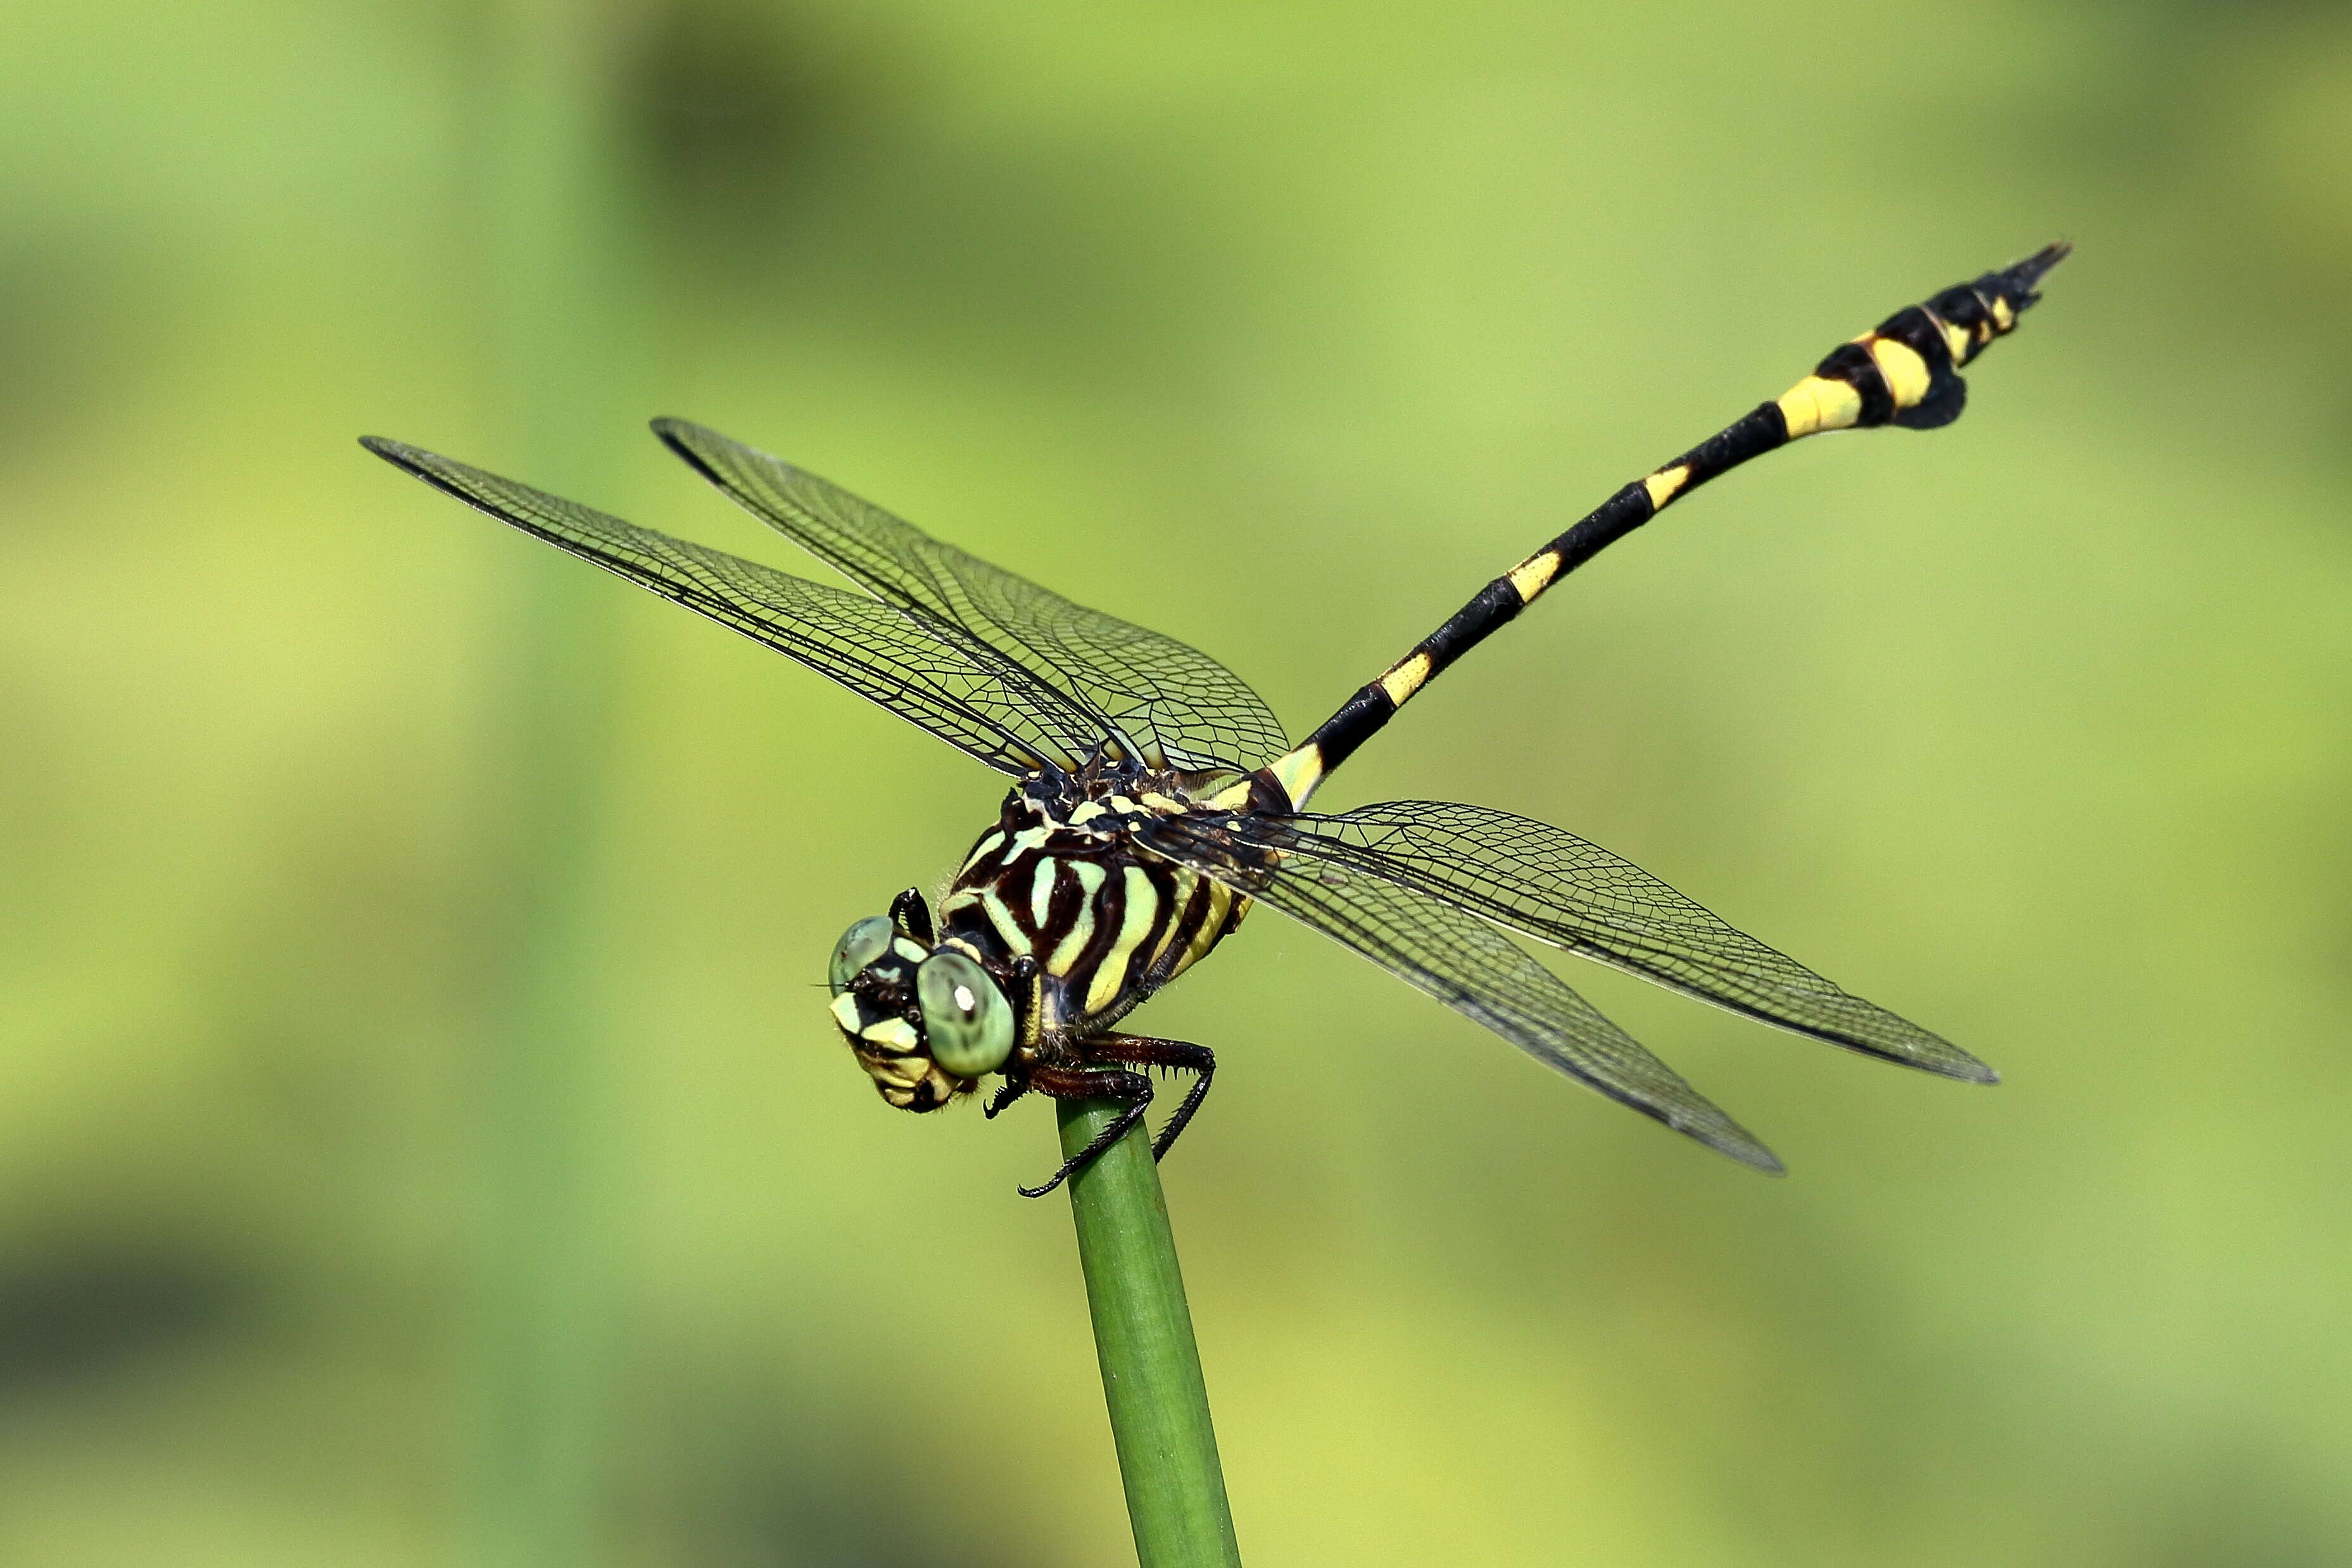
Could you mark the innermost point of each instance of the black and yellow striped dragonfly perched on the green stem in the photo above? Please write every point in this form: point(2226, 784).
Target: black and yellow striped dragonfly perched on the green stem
point(1156, 800)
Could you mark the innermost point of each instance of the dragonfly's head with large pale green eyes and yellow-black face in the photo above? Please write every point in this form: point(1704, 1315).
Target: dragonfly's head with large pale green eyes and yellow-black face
point(923, 1021)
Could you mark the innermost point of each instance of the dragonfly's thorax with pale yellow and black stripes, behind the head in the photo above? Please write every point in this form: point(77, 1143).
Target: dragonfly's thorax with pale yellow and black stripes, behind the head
point(1060, 880)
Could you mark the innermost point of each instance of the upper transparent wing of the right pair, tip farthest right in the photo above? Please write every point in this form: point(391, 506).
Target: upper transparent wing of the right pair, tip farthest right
point(1579, 897)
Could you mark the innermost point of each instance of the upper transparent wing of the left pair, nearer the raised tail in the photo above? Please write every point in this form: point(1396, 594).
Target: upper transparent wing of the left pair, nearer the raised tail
point(1172, 704)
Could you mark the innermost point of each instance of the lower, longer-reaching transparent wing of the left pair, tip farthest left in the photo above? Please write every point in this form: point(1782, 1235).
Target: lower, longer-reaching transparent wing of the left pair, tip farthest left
point(926, 671)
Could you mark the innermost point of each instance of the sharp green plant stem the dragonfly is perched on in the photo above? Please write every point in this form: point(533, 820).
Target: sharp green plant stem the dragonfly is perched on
point(1144, 1341)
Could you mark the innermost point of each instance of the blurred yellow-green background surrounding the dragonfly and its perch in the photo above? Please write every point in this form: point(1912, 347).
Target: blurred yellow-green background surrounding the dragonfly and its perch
point(422, 1144)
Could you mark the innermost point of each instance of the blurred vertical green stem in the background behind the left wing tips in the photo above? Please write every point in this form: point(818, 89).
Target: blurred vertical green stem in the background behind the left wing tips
point(542, 232)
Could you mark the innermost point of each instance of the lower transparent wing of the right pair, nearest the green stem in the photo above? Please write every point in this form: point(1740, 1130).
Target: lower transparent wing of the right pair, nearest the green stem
point(1455, 958)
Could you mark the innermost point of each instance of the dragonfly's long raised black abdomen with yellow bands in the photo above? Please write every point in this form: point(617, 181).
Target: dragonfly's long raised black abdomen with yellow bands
point(1902, 373)
